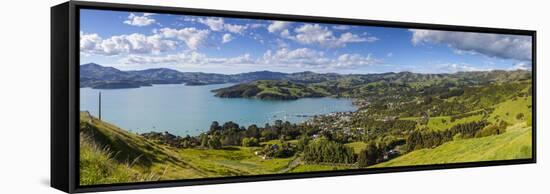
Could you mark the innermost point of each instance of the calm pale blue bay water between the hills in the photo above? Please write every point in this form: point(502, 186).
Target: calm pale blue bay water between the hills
point(182, 110)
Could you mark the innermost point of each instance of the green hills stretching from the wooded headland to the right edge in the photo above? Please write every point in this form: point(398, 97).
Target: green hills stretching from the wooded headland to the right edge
point(309, 84)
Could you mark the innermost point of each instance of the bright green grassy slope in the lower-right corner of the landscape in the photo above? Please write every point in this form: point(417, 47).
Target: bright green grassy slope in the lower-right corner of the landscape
point(514, 144)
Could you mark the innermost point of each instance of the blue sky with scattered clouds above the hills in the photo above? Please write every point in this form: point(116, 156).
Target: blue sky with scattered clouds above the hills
point(136, 41)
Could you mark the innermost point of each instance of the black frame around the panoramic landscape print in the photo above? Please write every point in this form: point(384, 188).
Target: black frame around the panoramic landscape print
point(65, 95)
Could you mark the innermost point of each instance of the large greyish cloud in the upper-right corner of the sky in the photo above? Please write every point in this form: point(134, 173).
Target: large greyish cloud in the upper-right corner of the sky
point(491, 45)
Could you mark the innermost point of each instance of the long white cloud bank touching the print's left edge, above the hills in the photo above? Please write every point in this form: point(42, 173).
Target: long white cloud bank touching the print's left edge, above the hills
point(124, 44)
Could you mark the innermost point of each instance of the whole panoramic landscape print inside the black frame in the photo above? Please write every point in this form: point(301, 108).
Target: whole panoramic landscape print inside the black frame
point(179, 97)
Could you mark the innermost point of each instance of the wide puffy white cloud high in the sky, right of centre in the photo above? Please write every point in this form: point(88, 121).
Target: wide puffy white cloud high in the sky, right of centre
point(316, 34)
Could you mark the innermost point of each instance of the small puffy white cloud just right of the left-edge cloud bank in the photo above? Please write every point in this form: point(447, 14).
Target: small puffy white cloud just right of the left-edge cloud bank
point(193, 38)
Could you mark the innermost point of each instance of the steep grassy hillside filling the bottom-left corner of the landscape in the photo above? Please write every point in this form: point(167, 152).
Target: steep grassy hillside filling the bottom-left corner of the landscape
point(140, 158)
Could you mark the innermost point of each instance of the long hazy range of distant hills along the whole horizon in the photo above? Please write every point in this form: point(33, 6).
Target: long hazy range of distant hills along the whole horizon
point(97, 76)
